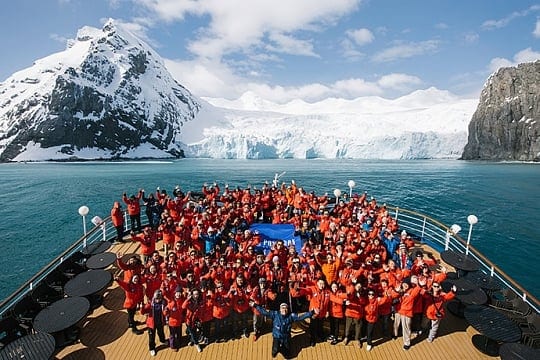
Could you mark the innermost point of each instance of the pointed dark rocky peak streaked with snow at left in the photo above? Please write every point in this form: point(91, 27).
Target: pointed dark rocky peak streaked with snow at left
point(108, 95)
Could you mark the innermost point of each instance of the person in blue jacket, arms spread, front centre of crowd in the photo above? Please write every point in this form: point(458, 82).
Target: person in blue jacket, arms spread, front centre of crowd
point(282, 322)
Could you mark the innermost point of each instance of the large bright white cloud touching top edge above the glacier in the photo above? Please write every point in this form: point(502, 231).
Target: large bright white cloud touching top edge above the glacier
point(236, 25)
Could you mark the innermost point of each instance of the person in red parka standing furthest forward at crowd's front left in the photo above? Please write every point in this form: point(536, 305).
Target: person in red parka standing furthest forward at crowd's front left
point(156, 312)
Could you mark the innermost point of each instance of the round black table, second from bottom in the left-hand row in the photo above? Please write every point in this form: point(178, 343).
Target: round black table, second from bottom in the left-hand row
point(61, 314)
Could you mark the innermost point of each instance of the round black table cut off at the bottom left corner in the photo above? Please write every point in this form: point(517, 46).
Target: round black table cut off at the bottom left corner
point(36, 346)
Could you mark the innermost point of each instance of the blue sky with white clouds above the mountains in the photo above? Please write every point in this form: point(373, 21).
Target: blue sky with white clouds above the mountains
point(283, 50)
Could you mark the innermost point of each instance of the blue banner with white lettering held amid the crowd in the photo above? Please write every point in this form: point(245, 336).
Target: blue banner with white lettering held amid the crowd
point(270, 233)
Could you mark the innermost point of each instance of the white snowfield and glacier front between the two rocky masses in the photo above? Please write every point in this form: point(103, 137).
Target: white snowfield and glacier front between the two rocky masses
point(424, 124)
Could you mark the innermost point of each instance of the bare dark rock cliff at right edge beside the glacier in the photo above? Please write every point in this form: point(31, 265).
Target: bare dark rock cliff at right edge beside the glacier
point(506, 124)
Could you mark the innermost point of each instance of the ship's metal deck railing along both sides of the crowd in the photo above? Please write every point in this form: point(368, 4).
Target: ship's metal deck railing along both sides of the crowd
point(425, 229)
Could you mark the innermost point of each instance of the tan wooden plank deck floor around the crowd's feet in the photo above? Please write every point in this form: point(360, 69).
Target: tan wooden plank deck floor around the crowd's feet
point(105, 335)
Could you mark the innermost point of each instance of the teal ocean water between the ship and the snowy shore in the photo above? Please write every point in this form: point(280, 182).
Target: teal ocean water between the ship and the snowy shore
point(39, 201)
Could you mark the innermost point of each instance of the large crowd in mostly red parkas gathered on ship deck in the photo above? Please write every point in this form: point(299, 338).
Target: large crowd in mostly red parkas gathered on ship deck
point(355, 272)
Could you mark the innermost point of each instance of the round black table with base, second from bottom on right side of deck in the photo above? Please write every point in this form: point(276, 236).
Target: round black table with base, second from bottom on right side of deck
point(493, 325)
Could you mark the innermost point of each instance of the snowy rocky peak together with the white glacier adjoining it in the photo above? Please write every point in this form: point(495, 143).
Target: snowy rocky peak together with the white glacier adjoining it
point(109, 95)
